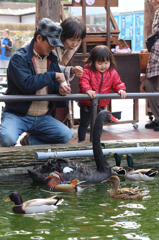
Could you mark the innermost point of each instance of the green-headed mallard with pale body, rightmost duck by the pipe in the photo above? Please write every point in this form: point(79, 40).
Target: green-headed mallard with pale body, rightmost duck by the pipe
point(140, 174)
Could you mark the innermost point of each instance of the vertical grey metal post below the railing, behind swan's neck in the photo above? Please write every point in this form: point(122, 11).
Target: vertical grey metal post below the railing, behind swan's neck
point(94, 104)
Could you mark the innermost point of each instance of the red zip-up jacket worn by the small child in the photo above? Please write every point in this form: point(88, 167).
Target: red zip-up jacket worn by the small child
point(99, 82)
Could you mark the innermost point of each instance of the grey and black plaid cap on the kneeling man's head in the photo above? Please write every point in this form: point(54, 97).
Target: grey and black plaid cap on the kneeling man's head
point(51, 30)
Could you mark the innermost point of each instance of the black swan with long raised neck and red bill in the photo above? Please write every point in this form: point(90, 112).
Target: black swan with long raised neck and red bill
point(79, 170)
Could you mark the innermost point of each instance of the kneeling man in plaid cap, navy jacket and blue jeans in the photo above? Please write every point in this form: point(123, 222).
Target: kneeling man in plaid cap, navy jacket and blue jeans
point(34, 70)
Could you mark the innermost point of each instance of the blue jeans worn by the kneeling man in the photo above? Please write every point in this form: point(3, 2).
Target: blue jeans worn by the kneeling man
point(43, 130)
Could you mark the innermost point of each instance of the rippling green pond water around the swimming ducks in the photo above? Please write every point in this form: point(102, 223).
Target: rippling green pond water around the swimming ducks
point(90, 214)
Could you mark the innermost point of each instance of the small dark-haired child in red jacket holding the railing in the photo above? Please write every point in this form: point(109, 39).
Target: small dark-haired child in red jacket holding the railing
point(99, 76)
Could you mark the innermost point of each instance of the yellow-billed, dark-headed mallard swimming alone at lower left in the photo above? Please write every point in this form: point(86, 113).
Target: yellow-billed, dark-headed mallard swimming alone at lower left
point(33, 205)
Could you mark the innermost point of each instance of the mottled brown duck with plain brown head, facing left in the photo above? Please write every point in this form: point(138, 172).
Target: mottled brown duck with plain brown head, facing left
point(123, 193)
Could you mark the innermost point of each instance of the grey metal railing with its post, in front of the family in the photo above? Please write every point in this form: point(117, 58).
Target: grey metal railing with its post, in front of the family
point(94, 101)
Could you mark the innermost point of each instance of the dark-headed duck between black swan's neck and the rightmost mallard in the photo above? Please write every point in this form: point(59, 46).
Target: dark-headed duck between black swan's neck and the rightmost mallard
point(116, 169)
